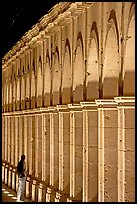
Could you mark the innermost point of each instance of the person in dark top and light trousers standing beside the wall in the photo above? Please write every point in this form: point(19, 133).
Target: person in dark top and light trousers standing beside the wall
point(21, 171)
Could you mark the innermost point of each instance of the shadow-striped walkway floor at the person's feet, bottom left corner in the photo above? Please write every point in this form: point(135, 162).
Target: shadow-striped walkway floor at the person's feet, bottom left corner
point(9, 195)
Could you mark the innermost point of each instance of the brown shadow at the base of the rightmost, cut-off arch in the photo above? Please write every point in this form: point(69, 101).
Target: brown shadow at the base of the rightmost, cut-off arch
point(129, 84)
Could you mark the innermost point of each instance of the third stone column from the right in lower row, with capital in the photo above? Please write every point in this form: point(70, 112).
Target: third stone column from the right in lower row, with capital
point(90, 152)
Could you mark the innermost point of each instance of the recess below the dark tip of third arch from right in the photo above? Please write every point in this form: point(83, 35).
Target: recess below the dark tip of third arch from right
point(92, 72)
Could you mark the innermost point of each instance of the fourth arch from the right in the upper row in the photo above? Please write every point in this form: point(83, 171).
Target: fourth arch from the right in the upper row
point(78, 71)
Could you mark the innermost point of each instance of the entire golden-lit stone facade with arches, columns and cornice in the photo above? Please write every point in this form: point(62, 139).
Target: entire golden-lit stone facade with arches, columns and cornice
point(68, 104)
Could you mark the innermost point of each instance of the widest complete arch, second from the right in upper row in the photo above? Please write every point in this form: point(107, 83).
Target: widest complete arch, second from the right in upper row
point(110, 76)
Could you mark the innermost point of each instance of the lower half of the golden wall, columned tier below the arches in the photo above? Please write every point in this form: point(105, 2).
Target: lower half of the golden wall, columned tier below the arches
point(82, 152)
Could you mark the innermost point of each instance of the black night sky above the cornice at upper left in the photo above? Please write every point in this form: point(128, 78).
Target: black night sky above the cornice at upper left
point(18, 16)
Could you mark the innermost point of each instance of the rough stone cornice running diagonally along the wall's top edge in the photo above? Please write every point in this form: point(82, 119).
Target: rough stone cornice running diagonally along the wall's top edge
point(45, 24)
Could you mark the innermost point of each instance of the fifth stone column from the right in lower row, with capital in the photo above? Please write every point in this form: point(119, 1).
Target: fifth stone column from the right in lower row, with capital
point(64, 150)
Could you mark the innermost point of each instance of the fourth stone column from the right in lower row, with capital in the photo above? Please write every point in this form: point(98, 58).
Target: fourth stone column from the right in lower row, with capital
point(76, 152)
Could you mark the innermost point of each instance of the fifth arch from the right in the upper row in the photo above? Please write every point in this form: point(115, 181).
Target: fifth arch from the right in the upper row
point(66, 75)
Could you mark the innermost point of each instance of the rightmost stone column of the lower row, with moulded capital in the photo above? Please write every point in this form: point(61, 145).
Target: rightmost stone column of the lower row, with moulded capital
point(126, 149)
